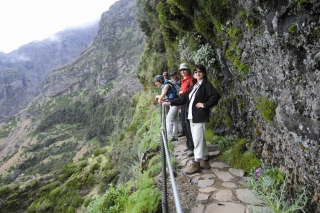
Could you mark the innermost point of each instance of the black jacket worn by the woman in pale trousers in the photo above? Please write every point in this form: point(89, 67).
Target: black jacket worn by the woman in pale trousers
point(206, 94)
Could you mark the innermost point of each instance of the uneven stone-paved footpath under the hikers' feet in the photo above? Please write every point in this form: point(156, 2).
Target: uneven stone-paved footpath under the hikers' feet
point(222, 189)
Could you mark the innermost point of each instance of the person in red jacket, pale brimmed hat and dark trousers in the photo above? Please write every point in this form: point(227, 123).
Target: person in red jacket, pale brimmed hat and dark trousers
point(186, 82)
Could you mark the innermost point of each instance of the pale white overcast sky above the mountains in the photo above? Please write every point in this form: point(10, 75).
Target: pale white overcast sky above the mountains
point(23, 21)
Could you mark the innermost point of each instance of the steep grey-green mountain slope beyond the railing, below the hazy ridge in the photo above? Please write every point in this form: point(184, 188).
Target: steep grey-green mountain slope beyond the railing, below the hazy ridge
point(90, 97)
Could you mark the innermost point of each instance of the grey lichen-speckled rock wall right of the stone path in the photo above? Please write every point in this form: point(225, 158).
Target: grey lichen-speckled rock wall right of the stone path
point(283, 56)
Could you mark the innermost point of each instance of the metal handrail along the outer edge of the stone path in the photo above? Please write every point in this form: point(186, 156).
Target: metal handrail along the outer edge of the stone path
point(165, 155)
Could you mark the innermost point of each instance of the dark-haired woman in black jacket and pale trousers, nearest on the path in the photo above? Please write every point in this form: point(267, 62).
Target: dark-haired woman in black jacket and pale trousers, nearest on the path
point(198, 99)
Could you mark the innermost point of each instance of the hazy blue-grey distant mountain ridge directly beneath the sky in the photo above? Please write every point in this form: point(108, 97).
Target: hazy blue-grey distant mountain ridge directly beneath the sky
point(23, 71)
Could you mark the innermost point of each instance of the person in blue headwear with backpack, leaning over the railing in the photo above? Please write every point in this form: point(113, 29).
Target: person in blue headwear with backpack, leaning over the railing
point(168, 93)
